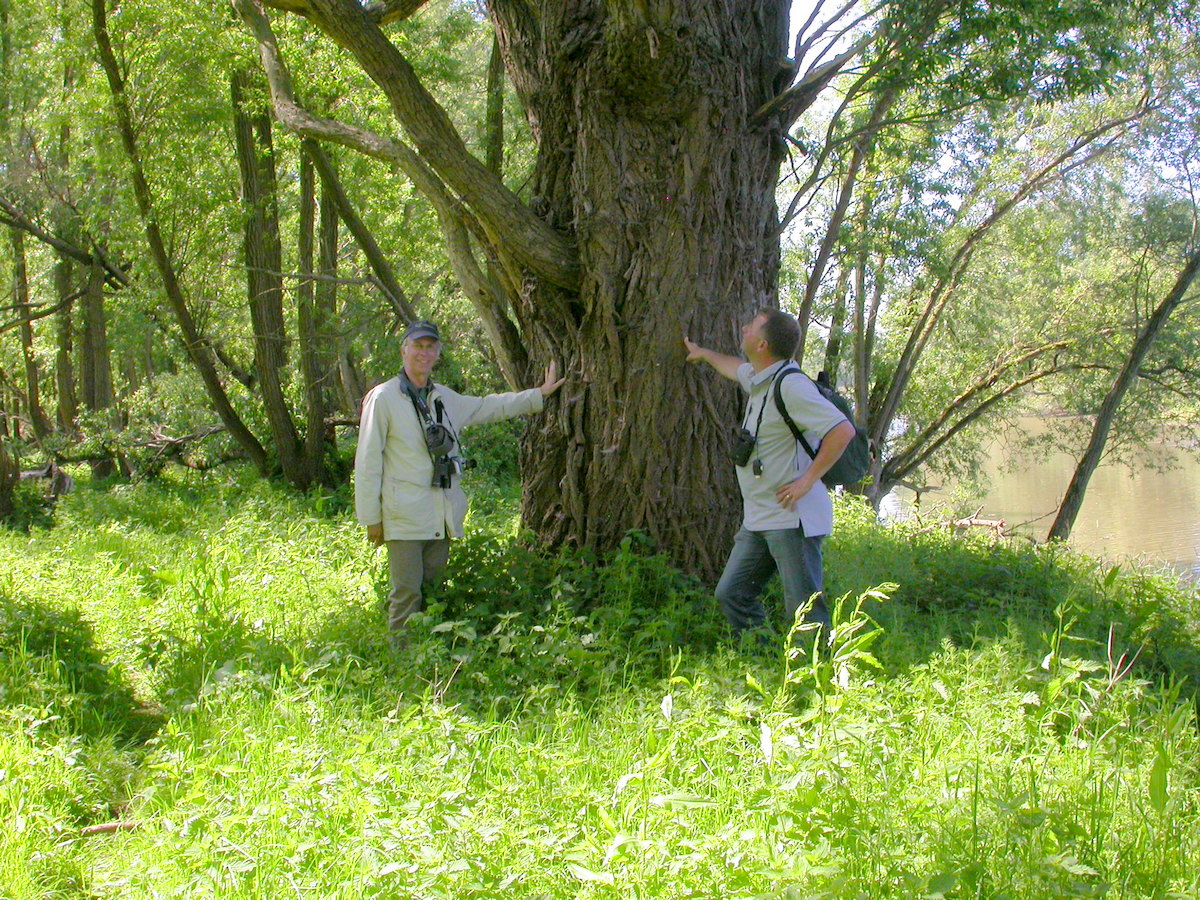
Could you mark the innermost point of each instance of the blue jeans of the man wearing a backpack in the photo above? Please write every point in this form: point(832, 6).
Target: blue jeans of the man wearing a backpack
point(755, 557)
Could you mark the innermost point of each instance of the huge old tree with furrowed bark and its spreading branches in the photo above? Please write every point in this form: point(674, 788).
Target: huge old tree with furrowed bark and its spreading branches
point(661, 128)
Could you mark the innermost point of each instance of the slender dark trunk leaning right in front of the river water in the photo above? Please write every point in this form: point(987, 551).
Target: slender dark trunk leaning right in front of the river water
point(1072, 502)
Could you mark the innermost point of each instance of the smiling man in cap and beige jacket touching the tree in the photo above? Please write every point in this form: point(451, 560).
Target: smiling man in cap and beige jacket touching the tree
point(407, 469)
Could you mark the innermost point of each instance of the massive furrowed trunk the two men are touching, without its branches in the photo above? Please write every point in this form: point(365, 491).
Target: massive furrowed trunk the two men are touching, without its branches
point(647, 158)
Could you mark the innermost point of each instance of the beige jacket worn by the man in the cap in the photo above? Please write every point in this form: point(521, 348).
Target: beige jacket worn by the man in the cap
point(393, 471)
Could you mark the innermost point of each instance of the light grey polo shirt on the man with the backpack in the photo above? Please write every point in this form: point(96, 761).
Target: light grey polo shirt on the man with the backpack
point(783, 458)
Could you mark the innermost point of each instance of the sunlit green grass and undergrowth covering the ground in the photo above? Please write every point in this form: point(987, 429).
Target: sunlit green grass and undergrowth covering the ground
point(203, 662)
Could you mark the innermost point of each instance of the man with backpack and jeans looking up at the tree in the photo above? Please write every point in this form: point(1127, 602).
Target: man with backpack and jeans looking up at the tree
point(787, 508)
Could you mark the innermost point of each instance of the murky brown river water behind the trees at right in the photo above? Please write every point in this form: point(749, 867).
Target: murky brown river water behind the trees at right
point(1143, 514)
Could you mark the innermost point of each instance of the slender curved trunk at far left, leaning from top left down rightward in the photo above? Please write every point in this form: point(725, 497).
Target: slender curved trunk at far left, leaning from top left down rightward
point(197, 349)
